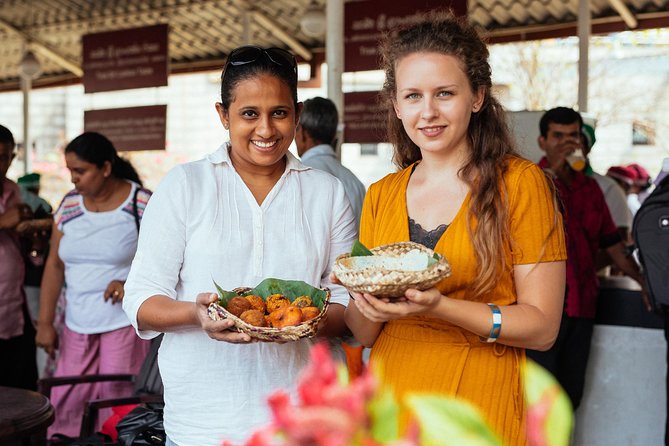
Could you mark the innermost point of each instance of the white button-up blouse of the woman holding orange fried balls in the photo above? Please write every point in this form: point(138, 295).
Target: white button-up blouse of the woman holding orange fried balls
point(203, 224)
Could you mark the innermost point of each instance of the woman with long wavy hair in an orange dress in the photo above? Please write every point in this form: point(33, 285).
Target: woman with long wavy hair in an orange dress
point(463, 191)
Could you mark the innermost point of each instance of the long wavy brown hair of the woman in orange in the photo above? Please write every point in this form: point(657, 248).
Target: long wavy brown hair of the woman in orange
point(488, 133)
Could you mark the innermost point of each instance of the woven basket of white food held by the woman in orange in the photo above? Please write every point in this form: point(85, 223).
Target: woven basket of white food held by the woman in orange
point(383, 282)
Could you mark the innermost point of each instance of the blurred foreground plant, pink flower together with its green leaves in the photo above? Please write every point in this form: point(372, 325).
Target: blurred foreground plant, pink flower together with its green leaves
point(330, 411)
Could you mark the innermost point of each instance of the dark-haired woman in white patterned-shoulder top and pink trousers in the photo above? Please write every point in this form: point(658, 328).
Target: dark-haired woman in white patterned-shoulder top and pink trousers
point(93, 242)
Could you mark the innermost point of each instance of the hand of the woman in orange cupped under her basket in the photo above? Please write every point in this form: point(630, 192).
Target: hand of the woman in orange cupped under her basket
point(413, 303)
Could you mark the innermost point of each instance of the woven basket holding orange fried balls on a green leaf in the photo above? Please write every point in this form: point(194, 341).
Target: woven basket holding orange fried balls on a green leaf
point(292, 333)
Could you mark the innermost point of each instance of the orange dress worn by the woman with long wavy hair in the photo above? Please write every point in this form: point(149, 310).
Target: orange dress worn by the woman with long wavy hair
point(423, 354)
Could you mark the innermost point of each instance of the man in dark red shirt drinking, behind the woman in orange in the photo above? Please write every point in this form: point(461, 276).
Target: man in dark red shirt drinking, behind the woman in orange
point(588, 227)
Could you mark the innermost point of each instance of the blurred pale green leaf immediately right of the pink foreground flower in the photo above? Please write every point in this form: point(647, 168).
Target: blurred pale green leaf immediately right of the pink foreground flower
point(442, 418)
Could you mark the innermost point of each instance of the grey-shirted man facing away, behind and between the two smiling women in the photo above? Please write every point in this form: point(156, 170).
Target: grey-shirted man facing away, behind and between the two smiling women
point(315, 138)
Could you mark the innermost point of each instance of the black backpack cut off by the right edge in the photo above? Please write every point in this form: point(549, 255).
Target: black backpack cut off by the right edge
point(650, 230)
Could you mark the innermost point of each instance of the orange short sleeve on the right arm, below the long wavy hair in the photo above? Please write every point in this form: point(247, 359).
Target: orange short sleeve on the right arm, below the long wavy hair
point(536, 226)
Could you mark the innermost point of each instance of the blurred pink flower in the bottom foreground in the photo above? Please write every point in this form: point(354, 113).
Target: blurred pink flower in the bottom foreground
point(330, 411)
